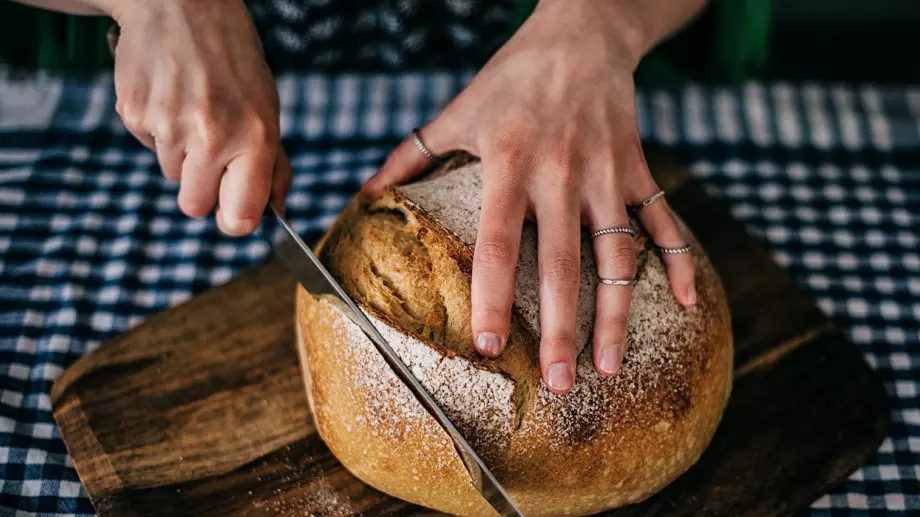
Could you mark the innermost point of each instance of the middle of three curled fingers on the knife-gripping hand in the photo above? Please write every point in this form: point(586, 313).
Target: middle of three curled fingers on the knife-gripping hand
point(199, 182)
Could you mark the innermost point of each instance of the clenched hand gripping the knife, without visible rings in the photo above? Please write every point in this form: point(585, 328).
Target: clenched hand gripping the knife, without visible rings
point(192, 85)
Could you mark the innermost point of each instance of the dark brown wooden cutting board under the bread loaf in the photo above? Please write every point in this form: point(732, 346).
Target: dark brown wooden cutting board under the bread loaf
point(200, 411)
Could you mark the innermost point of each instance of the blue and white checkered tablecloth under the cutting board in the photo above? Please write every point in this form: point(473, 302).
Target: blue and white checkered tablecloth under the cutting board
point(92, 242)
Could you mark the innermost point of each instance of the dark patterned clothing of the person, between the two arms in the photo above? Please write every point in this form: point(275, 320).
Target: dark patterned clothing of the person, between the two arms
point(381, 34)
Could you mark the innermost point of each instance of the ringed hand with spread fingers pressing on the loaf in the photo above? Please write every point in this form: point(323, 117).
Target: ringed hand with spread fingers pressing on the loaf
point(552, 116)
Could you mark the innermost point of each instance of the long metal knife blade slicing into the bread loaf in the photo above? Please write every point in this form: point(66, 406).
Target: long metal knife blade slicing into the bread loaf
point(316, 279)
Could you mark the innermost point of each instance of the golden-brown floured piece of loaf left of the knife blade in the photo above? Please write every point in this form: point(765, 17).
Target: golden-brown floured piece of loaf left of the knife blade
point(372, 433)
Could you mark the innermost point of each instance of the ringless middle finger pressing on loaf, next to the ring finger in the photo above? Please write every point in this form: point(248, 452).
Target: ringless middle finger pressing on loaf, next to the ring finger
point(559, 238)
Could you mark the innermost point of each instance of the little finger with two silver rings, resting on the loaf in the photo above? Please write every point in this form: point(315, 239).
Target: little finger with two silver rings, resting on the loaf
point(659, 222)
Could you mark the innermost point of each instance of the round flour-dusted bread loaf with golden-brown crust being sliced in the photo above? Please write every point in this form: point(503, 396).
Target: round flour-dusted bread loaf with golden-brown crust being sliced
point(406, 258)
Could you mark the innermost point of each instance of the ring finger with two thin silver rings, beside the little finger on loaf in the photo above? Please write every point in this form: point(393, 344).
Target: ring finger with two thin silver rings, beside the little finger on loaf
point(615, 254)
